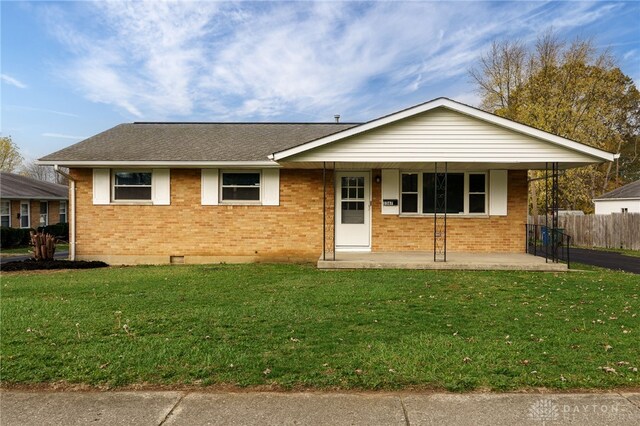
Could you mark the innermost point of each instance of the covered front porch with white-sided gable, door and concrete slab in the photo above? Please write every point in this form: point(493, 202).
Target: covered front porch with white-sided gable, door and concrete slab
point(437, 186)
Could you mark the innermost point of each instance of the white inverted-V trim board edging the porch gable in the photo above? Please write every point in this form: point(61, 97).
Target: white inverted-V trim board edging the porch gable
point(454, 106)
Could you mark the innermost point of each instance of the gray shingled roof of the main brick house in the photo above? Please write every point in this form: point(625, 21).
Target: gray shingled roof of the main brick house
point(194, 141)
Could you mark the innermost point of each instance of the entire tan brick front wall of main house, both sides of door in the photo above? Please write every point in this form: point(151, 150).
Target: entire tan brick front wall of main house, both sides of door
point(289, 232)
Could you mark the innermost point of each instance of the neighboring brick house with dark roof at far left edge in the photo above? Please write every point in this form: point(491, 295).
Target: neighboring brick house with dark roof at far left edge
point(29, 203)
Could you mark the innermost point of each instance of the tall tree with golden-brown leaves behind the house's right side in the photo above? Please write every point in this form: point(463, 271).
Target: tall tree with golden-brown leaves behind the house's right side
point(571, 90)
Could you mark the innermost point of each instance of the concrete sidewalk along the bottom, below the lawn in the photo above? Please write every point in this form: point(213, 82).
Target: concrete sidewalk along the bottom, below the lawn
point(270, 408)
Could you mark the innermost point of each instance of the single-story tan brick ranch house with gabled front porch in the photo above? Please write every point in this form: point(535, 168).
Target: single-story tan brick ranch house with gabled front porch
point(242, 192)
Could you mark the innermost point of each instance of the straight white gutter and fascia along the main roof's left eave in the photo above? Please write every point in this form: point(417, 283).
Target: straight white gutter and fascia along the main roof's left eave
point(175, 164)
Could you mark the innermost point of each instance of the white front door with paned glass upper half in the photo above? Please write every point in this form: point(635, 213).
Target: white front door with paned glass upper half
point(353, 229)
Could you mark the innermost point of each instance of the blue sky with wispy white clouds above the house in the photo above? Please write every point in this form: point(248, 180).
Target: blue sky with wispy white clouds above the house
point(73, 69)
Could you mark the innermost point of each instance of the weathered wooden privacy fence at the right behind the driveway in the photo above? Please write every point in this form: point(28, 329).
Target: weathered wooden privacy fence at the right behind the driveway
point(618, 230)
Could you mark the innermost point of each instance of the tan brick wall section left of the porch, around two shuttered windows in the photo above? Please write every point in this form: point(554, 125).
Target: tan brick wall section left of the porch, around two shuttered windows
point(291, 231)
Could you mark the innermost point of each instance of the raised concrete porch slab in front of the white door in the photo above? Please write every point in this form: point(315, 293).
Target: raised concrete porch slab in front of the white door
point(424, 260)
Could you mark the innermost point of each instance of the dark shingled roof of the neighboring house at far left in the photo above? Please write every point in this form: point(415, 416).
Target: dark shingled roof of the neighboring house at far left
point(14, 186)
